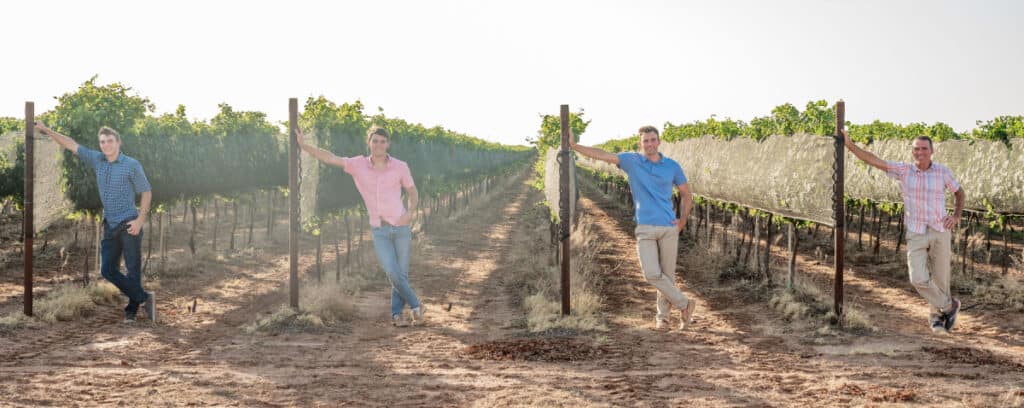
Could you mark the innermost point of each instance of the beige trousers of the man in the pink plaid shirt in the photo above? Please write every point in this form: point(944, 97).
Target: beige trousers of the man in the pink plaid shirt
point(928, 258)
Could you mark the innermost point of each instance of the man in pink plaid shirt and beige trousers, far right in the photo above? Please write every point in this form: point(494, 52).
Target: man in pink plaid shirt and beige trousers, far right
point(923, 185)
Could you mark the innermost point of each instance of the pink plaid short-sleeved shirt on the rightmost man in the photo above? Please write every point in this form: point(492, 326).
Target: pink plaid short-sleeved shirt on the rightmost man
point(924, 194)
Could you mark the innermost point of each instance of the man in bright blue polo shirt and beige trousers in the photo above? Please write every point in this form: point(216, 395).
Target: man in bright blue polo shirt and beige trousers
point(653, 178)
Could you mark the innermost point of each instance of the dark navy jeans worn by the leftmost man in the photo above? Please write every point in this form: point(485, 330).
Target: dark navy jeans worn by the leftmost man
point(118, 242)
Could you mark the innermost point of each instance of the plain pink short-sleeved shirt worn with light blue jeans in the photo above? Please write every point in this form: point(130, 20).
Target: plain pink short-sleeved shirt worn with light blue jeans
point(381, 189)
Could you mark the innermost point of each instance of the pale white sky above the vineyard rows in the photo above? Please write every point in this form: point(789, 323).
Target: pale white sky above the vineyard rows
point(489, 69)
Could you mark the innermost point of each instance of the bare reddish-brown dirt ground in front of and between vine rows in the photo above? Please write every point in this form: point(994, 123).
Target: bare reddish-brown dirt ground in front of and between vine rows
point(475, 350)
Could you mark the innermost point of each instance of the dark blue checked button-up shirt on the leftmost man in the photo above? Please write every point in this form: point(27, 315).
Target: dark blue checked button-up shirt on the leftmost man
point(119, 182)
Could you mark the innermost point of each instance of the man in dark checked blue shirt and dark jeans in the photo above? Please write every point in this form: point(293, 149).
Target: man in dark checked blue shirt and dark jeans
point(119, 179)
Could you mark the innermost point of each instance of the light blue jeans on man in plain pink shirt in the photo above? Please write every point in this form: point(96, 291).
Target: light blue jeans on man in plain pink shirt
point(392, 246)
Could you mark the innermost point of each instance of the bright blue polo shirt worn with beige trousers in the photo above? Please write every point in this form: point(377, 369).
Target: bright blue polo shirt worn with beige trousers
point(652, 186)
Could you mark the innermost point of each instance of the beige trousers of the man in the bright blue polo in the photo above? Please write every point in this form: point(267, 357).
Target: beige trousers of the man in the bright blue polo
point(658, 249)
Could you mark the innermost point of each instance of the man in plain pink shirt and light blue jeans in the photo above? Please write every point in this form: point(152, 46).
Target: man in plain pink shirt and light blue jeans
point(380, 179)
